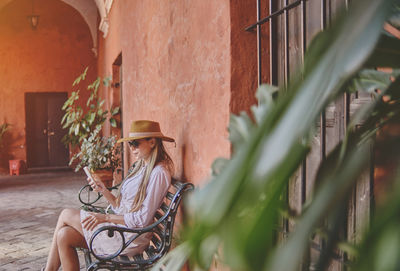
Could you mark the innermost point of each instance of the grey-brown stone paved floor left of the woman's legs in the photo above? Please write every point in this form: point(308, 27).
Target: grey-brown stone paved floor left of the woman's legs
point(29, 207)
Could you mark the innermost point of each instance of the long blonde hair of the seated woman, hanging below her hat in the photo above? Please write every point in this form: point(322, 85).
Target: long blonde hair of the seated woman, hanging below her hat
point(158, 155)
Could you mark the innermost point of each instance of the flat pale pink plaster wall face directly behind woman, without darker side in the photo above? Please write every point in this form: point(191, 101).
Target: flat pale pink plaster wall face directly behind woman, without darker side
point(176, 70)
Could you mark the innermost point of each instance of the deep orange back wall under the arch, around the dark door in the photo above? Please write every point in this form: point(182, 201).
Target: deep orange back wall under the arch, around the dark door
point(47, 59)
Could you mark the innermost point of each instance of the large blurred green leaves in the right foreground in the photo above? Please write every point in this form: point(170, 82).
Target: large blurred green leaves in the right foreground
point(236, 215)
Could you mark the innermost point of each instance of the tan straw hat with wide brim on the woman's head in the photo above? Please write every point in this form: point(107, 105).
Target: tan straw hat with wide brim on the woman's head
point(143, 129)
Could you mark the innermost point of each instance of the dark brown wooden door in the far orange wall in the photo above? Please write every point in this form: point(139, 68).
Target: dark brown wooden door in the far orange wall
point(44, 131)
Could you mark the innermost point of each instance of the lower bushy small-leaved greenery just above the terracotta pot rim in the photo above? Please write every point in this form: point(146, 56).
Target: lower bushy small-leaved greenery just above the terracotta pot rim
point(98, 153)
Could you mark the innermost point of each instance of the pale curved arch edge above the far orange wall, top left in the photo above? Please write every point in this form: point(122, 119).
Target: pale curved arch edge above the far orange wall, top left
point(88, 11)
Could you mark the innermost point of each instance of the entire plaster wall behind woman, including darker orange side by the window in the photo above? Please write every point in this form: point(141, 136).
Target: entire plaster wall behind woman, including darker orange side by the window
point(186, 64)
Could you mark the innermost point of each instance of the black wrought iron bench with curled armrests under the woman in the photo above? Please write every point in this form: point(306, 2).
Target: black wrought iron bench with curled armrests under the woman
point(161, 230)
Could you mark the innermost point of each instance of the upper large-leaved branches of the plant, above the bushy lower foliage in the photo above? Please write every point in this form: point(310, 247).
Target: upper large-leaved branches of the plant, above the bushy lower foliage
point(81, 122)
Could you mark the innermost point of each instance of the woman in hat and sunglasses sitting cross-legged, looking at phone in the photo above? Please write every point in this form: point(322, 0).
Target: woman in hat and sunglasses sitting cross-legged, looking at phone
point(139, 196)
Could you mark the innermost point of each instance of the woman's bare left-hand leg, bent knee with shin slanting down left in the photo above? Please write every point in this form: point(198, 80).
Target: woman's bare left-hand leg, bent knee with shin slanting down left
point(68, 217)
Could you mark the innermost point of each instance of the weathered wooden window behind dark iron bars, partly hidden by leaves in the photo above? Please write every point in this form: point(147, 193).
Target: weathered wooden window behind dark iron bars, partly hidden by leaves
point(284, 29)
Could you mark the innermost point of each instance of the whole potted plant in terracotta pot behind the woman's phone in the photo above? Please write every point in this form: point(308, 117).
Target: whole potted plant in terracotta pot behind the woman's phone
point(100, 154)
